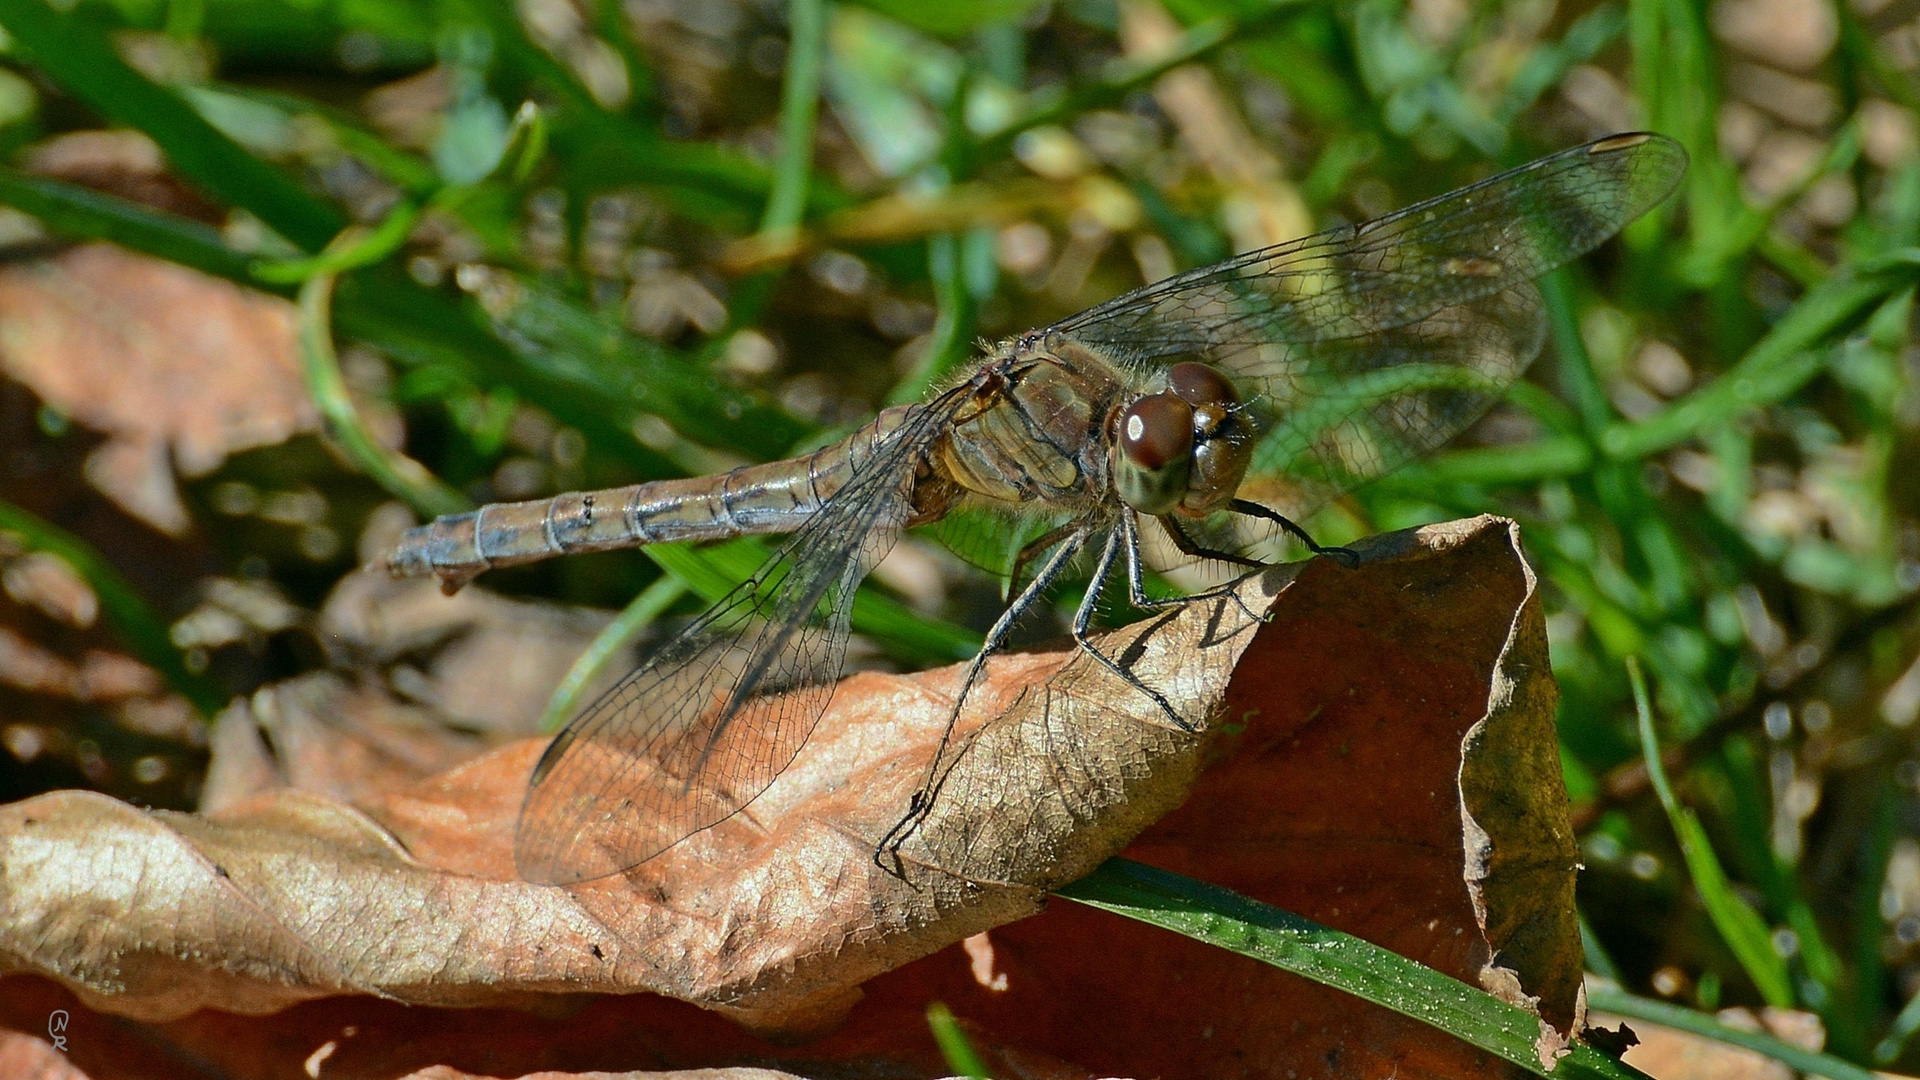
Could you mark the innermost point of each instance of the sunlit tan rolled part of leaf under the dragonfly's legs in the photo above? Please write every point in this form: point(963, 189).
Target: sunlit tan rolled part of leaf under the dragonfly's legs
point(777, 916)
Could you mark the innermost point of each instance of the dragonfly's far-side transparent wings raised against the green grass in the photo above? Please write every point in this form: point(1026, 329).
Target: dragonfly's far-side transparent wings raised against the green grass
point(1370, 345)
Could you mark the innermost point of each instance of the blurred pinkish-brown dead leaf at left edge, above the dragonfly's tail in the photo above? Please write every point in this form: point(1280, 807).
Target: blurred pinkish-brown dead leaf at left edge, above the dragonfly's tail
point(168, 362)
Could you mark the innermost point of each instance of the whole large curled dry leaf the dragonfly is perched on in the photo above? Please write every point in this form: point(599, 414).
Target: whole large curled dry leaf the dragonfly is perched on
point(1385, 764)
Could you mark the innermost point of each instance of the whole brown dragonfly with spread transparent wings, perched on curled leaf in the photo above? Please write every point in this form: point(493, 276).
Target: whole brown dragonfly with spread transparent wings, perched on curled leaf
point(1241, 393)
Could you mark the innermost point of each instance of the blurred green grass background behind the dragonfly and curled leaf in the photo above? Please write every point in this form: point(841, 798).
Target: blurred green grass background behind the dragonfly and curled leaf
point(625, 239)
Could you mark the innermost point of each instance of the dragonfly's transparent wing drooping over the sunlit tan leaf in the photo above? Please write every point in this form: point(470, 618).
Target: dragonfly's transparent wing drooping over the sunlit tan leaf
point(711, 718)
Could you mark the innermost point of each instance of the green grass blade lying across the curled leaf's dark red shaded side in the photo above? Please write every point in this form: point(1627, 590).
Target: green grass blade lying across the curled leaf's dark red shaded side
point(1289, 943)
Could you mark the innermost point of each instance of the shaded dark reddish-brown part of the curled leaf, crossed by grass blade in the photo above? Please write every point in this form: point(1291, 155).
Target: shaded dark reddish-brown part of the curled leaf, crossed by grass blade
point(1397, 779)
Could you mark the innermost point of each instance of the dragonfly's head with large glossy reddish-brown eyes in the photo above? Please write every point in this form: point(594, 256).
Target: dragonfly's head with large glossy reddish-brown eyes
point(1184, 449)
